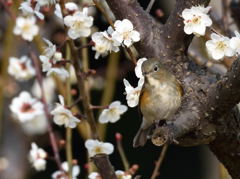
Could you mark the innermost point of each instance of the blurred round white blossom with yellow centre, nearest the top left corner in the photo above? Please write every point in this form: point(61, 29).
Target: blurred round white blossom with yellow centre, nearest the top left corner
point(26, 27)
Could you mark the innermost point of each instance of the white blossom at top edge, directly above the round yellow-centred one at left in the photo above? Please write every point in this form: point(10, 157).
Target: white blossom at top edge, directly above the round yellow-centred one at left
point(28, 10)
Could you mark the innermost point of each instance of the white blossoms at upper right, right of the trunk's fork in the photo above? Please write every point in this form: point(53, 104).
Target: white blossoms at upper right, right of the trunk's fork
point(196, 19)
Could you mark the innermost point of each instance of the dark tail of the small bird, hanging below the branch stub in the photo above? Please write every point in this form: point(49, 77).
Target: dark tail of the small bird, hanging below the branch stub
point(141, 137)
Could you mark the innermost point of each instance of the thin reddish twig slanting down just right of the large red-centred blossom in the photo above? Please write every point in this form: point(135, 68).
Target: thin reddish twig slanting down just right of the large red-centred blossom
point(52, 137)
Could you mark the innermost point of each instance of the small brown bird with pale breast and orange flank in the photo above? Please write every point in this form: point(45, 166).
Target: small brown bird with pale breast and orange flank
point(159, 100)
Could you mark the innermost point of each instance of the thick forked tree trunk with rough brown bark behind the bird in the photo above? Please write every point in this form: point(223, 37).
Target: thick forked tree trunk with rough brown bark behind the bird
point(207, 114)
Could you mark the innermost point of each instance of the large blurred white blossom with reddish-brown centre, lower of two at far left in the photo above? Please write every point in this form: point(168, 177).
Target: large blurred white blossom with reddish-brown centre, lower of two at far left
point(25, 108)
